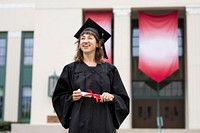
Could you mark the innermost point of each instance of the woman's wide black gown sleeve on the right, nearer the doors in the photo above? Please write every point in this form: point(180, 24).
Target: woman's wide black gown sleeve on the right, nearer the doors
point(121, 101)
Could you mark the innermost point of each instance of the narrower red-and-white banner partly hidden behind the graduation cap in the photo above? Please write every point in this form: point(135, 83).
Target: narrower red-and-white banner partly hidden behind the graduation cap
point(104, 19)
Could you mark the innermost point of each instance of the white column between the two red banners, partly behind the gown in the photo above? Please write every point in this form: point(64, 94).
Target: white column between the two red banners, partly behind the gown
point(122, 52)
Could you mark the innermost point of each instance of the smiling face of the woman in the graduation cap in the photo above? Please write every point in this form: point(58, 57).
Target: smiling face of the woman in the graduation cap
point(88, 44)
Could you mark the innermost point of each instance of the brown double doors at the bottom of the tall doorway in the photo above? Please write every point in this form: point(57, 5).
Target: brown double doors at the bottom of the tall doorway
point(146, 111)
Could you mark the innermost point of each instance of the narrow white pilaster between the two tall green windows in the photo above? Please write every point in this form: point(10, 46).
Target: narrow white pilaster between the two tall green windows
point(12, 76)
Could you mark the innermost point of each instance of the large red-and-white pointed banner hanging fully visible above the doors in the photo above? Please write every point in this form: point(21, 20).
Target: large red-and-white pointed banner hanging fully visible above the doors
point(158, 44)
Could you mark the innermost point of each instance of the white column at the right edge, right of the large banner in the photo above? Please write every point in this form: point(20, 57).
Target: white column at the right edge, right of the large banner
point(193, 67)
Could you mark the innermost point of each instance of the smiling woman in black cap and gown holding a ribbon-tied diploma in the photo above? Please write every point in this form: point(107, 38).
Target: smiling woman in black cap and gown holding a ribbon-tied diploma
point(89, 96)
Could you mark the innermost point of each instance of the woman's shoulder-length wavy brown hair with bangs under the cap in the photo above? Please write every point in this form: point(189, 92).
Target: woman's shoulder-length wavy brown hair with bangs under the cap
point(98, 54)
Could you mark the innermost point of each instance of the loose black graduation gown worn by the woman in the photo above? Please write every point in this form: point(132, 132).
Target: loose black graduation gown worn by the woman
point(86, 115)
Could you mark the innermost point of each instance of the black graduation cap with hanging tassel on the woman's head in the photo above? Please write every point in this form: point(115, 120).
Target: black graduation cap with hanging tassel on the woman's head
point(92, 26)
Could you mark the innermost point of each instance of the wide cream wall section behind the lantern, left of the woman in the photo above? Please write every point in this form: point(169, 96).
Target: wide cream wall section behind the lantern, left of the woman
point(56, 50)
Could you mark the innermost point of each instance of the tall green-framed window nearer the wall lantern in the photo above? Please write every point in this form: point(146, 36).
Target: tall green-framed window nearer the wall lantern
point(26, 77)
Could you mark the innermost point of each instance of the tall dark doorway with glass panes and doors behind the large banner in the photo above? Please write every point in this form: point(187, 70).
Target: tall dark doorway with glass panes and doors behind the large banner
point(150, 101)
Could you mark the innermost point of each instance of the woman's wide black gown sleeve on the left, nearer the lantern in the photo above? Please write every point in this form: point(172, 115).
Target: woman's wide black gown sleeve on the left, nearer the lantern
point(61, 98)
